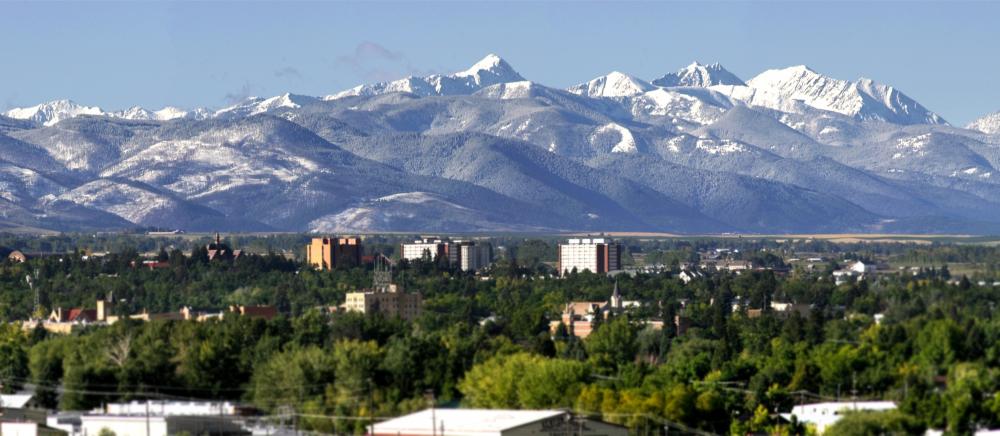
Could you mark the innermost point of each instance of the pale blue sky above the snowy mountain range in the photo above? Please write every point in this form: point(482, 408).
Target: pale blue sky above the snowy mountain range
point(190, 54)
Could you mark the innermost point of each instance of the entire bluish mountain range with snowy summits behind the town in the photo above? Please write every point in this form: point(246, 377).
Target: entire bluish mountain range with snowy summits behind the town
point(485, 149)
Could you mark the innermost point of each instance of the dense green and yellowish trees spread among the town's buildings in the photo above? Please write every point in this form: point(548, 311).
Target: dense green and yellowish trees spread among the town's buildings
point(484, 341)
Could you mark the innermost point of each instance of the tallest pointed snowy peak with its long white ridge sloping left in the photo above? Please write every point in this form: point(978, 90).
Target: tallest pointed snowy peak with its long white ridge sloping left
point(490, 70)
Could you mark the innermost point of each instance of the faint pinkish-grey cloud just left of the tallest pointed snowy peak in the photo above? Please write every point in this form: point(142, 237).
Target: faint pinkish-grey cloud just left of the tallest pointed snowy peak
point(374, 62)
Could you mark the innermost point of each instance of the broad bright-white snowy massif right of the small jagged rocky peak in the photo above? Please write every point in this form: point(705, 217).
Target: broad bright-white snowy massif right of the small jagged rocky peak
point(784, 89)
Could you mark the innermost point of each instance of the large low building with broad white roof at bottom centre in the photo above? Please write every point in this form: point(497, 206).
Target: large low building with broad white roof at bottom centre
point(494, 422)
